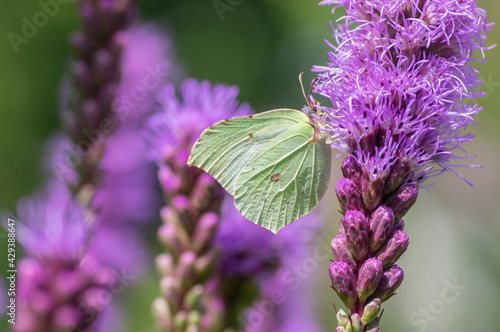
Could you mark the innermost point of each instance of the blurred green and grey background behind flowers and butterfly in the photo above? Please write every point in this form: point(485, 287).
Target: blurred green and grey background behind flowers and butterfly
point(262, 46)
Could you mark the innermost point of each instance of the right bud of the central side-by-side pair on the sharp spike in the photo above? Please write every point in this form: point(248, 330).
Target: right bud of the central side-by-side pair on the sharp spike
point(381, 224)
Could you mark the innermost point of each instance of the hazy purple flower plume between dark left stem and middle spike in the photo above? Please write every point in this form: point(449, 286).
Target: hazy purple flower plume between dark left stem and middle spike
point(127, 191)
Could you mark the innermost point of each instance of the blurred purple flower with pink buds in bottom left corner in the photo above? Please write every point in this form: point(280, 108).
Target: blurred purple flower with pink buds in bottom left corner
point(70, 266)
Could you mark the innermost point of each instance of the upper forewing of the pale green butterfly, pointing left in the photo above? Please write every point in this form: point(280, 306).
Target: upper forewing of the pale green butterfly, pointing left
point(224, 149)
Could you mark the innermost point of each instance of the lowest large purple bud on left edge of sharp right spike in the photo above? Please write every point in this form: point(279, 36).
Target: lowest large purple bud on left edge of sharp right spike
point(343, 282)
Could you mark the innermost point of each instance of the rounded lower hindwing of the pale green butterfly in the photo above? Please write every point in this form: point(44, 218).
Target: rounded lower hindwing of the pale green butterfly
point(285, 180)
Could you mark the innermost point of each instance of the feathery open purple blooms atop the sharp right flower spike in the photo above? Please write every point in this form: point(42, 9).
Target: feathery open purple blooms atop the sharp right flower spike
point(398, 83)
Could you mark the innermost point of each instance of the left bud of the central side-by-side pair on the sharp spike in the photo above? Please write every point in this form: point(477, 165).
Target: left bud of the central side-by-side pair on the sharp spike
point(356, 232)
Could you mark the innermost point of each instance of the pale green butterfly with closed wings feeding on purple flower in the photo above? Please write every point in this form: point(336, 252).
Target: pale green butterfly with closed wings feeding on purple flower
point(276, 164)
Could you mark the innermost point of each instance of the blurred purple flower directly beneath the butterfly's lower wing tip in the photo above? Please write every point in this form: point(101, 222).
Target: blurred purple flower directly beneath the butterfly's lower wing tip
point(284, 302)
